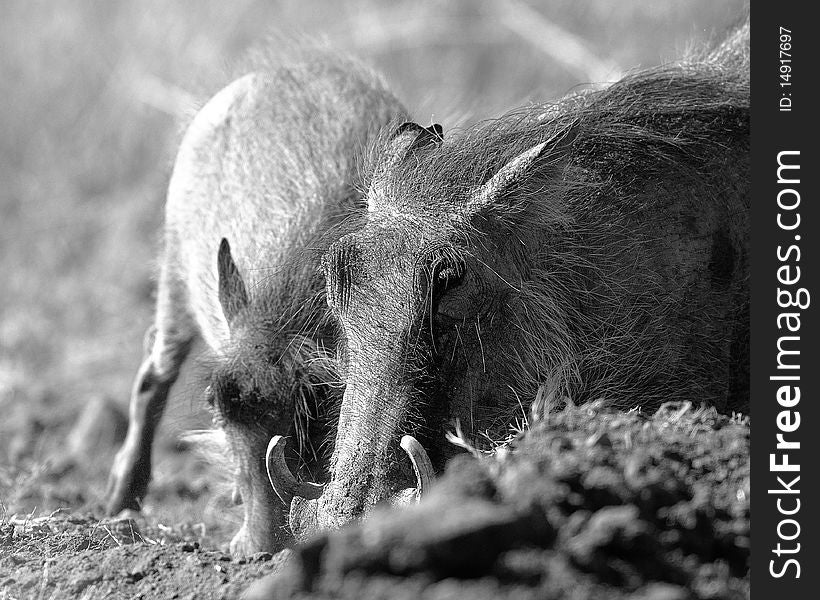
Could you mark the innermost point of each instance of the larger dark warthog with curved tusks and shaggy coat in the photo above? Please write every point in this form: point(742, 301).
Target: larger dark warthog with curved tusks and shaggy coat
point(592, 249)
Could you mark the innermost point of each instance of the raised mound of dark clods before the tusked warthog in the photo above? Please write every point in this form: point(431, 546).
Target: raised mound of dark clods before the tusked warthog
point(592, 503)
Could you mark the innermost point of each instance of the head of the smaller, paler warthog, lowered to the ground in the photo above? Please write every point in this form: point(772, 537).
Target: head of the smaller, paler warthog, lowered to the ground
point(268, 383)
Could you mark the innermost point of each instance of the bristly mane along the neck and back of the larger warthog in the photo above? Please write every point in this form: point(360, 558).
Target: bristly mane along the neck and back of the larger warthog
point(668, 113)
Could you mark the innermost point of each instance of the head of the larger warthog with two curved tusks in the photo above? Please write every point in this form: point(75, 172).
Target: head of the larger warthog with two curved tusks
point(427, 293)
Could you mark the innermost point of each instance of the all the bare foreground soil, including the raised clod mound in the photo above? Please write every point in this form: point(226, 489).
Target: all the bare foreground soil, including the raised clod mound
point(592, 502)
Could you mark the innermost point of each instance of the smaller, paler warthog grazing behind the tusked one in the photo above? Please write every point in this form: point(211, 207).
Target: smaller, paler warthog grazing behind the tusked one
point(263, 173)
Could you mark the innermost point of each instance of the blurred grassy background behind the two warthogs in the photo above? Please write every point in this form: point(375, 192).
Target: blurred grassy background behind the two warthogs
point(93, 92)
